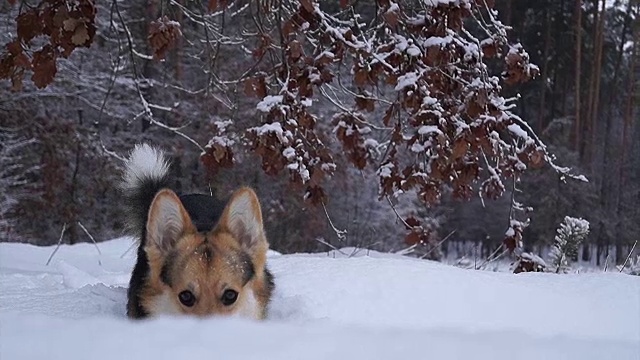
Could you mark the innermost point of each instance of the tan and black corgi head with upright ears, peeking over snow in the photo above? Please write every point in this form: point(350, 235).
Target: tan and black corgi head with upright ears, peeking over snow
point(220, 272)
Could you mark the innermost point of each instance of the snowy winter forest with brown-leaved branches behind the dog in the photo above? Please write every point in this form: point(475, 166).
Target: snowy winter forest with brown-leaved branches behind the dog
point(468, 130)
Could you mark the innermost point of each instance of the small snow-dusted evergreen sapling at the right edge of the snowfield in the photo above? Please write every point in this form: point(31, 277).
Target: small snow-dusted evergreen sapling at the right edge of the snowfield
point(570, 234)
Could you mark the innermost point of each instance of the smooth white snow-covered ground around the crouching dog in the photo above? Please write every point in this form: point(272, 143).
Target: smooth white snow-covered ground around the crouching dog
point(370, 306)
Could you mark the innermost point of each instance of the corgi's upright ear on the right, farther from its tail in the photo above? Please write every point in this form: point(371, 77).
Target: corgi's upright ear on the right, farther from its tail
point(242, 218)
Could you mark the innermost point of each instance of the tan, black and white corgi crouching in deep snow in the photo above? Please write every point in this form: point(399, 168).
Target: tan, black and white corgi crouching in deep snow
point(196, 255)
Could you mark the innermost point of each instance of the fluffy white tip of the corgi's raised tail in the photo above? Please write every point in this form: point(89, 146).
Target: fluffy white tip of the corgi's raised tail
point(144, 161)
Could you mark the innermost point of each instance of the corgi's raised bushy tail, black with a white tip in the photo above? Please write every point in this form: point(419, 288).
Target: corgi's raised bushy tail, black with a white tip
point(146, 173)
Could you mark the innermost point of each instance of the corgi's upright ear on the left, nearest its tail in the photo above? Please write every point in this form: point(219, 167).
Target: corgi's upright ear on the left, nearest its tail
point(168, 220)
